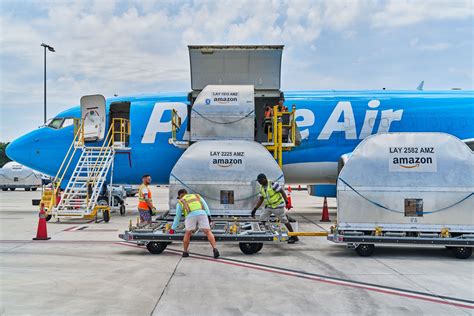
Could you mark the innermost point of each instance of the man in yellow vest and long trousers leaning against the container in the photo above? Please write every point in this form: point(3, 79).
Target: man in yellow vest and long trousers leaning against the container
point(275, 200)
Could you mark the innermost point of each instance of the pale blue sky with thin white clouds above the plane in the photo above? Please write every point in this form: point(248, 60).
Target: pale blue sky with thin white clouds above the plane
point(134, 47)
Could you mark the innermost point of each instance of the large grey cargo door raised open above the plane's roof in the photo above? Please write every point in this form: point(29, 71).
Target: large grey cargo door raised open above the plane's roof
point(259, 66)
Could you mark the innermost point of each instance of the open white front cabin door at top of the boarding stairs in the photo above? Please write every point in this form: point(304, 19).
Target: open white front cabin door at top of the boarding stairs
point(93, 117)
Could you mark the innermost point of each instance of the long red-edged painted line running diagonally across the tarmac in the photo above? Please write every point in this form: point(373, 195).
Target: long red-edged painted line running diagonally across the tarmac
point(440, 299)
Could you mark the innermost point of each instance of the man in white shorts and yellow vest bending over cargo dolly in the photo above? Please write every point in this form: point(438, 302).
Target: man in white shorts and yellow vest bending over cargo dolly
point(196, 214)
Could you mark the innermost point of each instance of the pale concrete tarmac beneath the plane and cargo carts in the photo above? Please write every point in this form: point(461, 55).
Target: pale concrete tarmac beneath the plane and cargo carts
point(85, 269)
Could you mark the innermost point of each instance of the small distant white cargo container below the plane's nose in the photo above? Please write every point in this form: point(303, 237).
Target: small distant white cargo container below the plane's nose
point(14, 176)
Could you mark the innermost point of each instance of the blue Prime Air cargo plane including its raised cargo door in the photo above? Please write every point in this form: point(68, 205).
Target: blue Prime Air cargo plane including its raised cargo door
point(331, 123)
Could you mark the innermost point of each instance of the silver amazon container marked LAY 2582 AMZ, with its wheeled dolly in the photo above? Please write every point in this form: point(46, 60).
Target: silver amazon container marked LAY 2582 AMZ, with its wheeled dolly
point(414, 188)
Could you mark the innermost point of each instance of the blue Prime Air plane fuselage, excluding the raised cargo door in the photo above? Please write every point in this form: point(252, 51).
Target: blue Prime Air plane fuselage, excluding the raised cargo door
point(331, 123)
